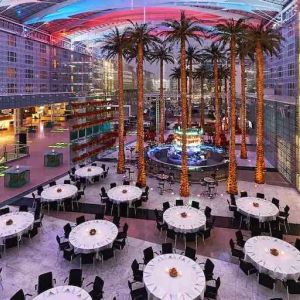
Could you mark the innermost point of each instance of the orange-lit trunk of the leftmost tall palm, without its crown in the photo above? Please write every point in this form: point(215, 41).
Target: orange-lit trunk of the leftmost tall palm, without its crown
point(121, 153)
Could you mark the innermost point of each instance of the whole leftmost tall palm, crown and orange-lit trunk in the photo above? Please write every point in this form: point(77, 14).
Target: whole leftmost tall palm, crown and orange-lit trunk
point(114, 44)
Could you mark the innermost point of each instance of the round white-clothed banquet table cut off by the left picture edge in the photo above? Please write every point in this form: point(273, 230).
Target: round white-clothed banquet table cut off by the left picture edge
point(22, 222)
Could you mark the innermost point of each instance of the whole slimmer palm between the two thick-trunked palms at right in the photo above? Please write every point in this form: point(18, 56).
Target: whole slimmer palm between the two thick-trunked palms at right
point(244, 49)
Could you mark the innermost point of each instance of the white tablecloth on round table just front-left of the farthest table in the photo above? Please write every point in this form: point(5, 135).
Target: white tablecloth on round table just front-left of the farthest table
point(51, 194)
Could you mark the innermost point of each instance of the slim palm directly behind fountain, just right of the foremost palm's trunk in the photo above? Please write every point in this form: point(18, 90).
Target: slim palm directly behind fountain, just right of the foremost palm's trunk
point(192, 55)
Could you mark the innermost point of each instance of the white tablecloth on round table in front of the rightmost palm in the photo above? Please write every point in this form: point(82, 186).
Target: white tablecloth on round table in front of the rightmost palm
point(266, 211)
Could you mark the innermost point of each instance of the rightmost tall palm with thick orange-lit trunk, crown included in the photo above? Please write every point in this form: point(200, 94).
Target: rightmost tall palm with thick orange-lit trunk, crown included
point(266, 40)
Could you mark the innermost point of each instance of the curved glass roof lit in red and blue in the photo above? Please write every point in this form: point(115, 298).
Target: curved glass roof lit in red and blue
point(73, 16)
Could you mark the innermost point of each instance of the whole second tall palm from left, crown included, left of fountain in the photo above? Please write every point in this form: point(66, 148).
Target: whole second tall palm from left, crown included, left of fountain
point(141, 40)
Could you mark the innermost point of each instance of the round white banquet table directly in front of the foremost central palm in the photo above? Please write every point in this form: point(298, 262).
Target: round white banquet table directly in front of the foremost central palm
point(192, 222)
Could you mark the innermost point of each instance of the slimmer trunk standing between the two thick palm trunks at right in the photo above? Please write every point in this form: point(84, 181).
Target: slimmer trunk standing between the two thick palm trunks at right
point(243, 107)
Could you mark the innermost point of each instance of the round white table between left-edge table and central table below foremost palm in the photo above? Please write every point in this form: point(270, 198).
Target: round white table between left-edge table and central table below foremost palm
point(83, 242)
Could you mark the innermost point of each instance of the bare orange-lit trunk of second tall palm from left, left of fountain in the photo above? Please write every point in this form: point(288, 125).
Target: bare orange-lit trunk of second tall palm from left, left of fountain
point(141, 177)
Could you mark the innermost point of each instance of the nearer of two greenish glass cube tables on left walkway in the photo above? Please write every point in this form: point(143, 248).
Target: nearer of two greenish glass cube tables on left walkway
point(16, 177)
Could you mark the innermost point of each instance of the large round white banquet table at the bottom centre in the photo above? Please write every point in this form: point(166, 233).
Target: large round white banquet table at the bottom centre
point(189, 284)
